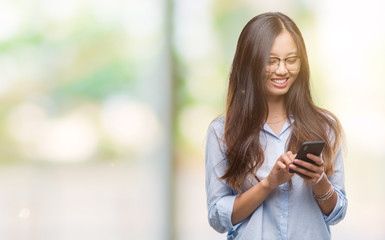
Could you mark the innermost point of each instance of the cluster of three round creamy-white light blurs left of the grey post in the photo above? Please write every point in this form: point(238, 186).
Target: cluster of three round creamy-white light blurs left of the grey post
point(131, 126)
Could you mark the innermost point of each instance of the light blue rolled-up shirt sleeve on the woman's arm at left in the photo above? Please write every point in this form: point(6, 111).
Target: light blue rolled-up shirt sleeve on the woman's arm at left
point(220, 197)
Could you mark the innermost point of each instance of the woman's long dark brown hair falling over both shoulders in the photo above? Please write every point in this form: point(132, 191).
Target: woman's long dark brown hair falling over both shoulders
point(247, 109)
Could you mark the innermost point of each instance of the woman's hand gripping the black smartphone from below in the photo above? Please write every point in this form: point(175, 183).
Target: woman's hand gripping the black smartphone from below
point(311, 173)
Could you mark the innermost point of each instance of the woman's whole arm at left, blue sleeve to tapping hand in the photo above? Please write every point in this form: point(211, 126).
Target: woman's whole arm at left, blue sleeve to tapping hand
point(226, 209)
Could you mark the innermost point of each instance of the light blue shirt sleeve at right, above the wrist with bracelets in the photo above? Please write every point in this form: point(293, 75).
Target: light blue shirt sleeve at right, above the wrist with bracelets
point(338, 182)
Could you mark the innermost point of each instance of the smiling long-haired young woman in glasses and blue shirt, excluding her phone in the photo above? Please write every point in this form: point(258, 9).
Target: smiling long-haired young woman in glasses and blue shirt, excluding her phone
point(250, 192)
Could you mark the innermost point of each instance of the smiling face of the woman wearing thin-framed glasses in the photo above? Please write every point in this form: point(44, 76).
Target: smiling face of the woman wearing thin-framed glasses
point(279, 81)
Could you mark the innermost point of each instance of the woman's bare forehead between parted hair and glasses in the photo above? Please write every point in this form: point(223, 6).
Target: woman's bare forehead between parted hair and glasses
point(283, 45)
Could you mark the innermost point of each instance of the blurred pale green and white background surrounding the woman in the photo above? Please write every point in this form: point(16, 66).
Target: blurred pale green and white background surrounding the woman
point(105, 106)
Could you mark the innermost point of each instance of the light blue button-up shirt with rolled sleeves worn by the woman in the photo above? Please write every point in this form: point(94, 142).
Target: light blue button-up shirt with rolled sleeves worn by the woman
point(289, 211)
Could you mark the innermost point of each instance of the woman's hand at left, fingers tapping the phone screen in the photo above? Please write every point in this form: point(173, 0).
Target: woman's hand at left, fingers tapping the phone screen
point(280, 172)
